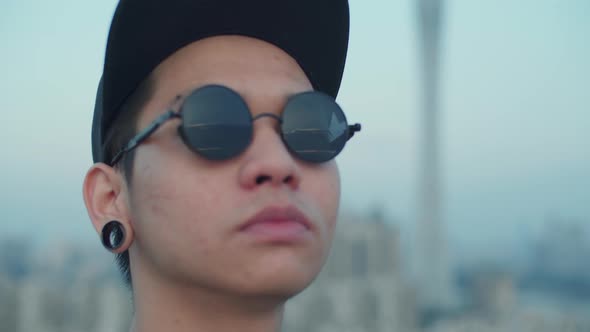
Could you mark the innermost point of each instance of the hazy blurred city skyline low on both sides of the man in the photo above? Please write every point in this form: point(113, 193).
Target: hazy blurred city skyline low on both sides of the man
point(362, 287)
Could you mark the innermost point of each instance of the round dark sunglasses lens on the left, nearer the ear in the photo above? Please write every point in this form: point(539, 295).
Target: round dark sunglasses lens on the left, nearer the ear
point(216, 123)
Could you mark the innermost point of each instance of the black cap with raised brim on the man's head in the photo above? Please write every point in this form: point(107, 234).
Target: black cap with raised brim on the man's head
point(144, 33)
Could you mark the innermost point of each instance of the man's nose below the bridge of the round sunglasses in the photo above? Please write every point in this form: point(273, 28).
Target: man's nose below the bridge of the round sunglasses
point(267, 160)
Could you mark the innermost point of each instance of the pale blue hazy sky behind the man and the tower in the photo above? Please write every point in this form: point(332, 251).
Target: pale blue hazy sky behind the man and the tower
point(515, 114)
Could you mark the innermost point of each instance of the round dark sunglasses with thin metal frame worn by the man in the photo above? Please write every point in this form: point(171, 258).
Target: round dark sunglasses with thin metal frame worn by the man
point(217, 125)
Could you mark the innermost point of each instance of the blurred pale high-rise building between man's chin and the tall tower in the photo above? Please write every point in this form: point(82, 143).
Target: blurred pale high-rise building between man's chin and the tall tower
point(361, 287)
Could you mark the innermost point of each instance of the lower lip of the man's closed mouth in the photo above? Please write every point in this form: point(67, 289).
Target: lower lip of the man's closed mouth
point(277, 231)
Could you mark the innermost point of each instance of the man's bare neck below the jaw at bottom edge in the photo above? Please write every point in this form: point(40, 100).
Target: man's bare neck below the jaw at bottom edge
point(190, 309)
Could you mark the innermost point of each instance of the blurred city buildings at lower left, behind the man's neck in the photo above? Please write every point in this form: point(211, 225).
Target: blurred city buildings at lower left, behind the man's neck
point(66, 288)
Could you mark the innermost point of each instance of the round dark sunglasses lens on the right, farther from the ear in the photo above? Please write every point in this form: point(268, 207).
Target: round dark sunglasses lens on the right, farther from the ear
point(314, 127)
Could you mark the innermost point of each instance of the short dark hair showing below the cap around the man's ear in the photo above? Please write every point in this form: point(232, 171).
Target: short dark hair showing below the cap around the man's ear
point(123, 128)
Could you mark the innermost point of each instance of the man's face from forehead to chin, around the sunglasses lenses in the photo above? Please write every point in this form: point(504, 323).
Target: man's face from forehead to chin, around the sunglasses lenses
point(188, 212)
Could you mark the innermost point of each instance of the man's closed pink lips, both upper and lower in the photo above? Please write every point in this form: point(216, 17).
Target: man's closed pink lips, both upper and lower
point(277, 224)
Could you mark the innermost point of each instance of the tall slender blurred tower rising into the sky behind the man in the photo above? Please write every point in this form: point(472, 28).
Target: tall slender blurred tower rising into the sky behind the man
point(432, 258)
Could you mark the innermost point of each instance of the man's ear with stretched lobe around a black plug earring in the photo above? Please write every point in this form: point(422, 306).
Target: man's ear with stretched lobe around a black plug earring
point(105, 195)
